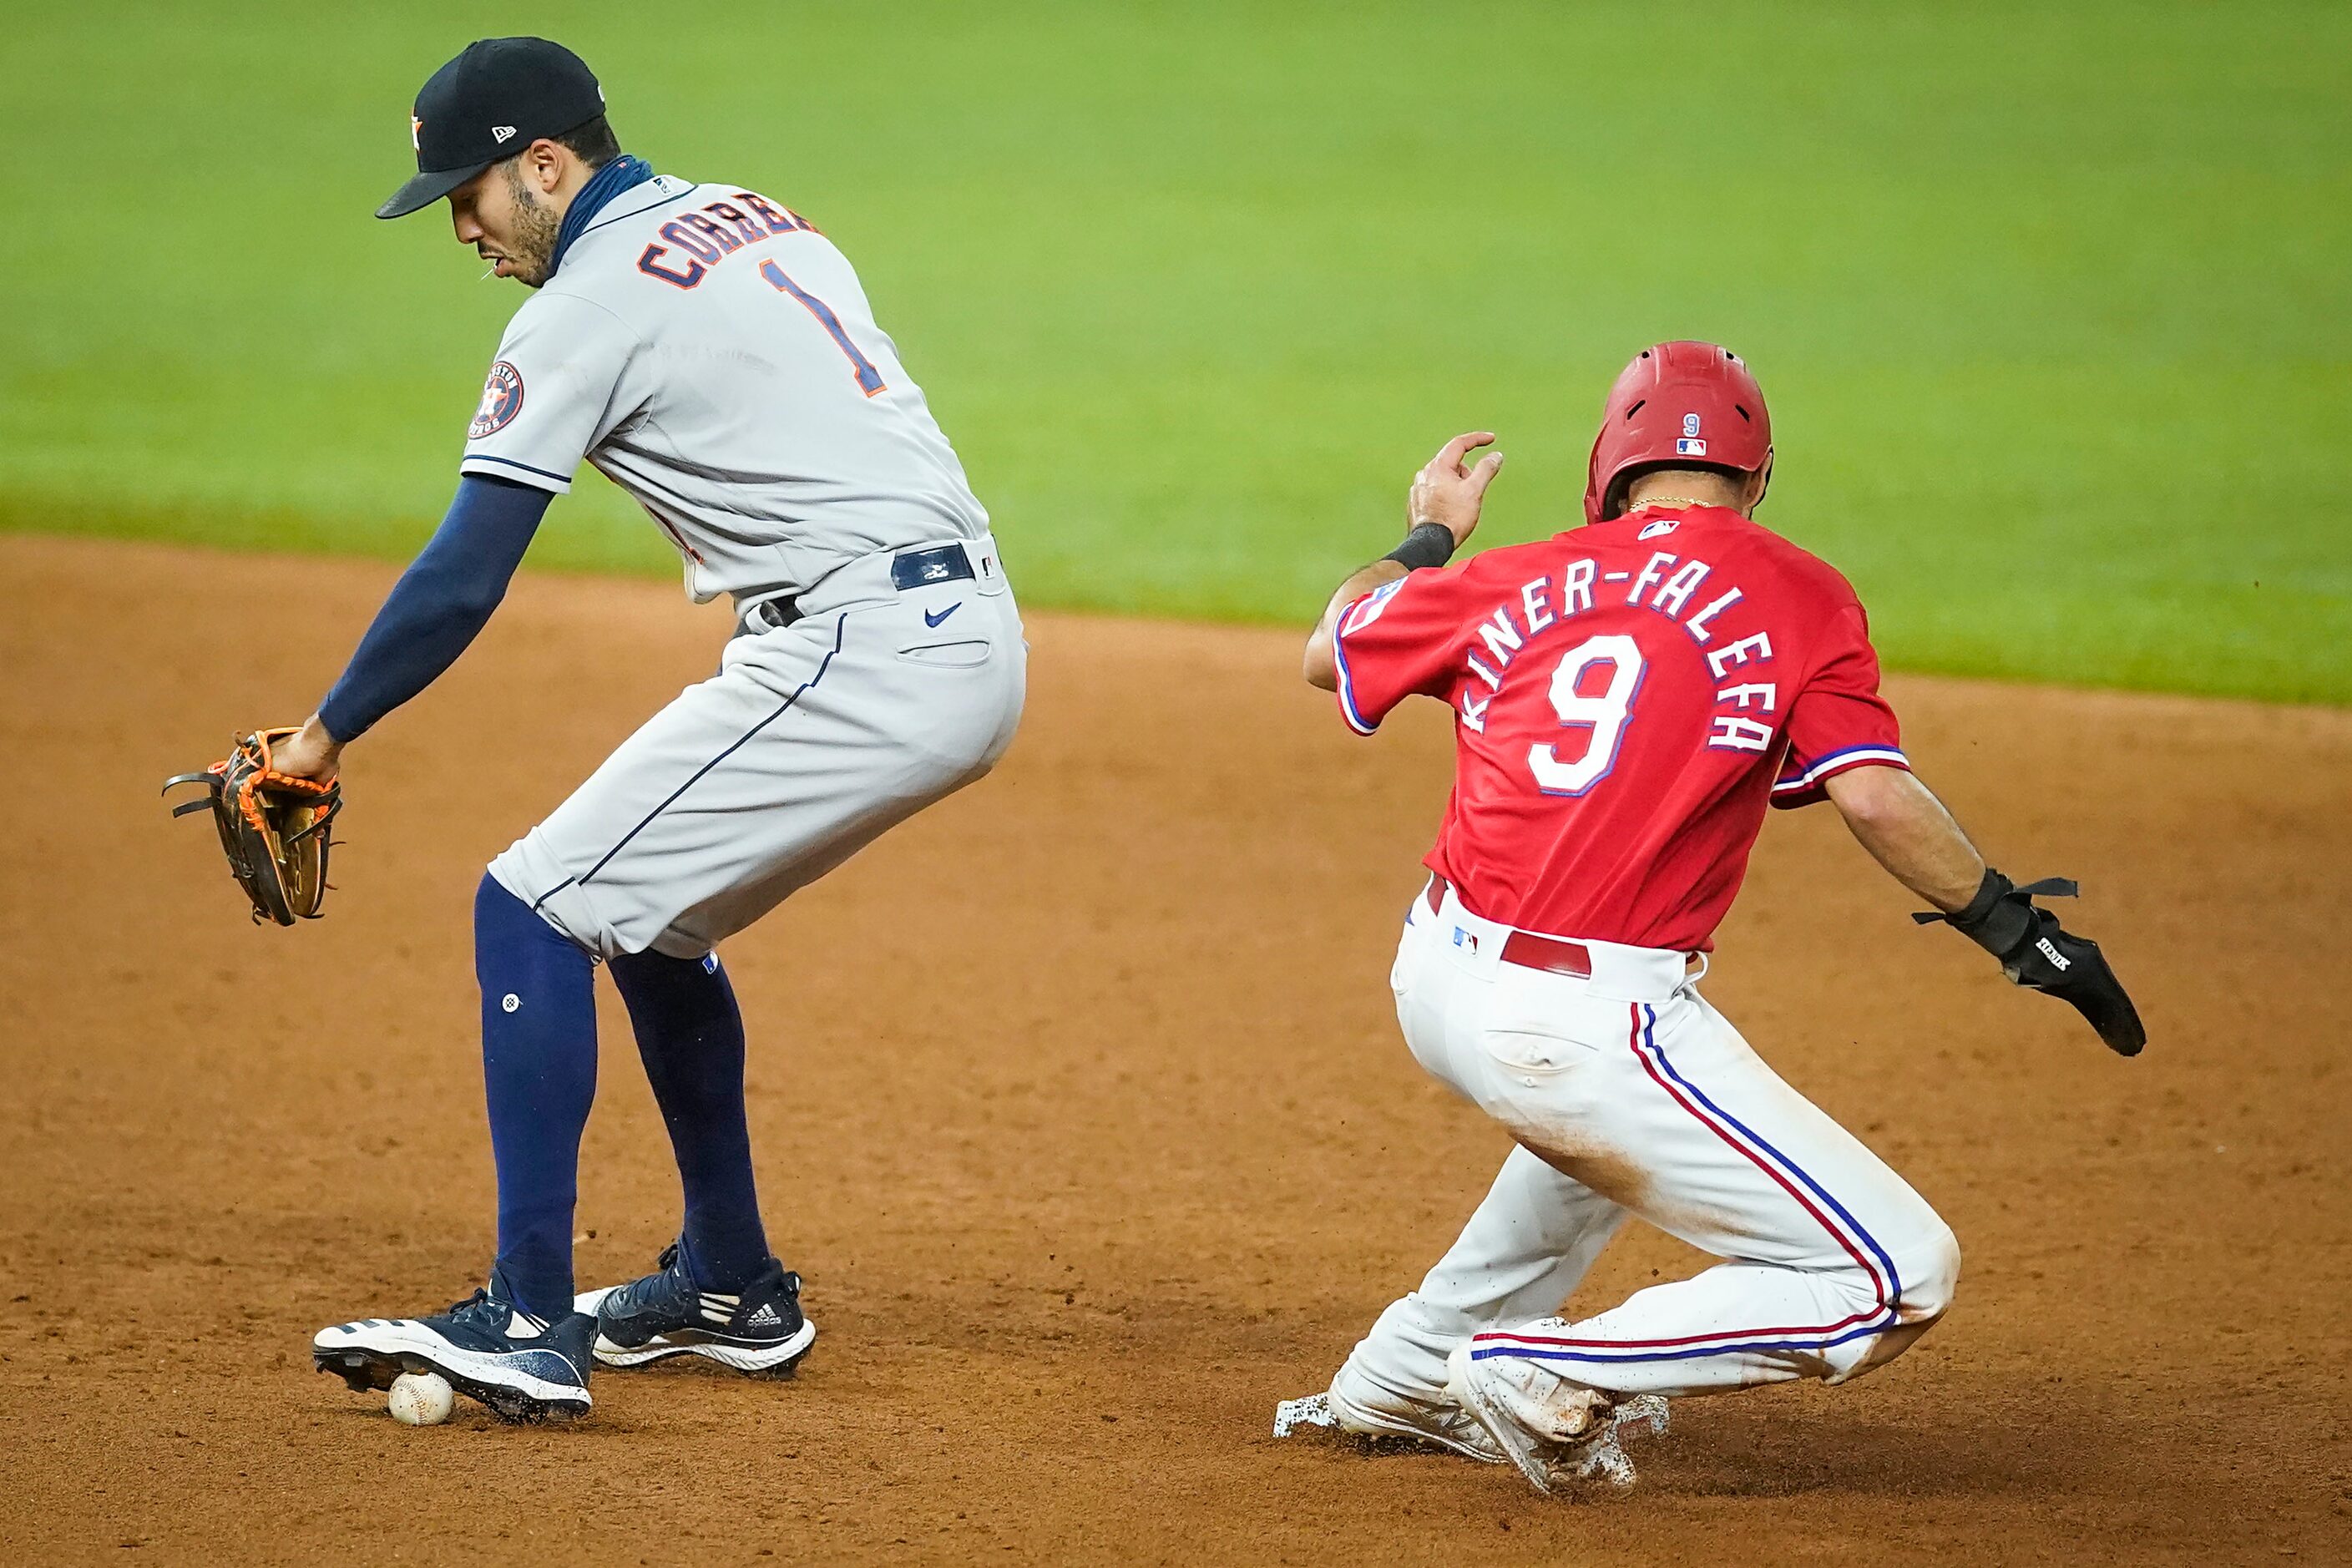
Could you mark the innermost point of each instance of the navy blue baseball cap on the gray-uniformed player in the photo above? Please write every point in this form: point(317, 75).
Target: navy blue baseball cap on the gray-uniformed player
point(490, 102)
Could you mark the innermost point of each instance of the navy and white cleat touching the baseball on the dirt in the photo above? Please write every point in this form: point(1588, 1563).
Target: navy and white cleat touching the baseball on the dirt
point(526, 1369)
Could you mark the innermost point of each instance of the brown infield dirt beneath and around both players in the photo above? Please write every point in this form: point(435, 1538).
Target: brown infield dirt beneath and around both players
point(1083, 1113)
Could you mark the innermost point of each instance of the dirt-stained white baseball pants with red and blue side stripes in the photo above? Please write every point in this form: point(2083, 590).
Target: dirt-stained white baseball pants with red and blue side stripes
point(1629, 1094)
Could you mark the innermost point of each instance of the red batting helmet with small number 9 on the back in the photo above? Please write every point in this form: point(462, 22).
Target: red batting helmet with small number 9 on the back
point(1681, 406)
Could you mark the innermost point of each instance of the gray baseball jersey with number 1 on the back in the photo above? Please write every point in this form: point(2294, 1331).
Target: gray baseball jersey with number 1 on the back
point(714, 356)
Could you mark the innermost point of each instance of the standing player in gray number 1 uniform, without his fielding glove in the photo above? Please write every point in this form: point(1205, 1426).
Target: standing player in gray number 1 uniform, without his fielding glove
point(714, 354)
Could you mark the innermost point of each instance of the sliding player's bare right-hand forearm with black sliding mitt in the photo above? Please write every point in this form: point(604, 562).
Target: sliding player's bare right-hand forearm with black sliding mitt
point(1909, 831)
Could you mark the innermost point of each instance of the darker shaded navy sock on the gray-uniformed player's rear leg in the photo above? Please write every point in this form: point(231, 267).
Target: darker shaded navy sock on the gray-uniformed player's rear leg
point(690, 1036)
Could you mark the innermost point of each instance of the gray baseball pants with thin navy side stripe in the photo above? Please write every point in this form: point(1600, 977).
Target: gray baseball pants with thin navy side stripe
point(803, 749)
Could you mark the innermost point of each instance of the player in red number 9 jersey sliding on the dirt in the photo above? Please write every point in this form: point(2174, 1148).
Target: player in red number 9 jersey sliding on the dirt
point(1629, 697)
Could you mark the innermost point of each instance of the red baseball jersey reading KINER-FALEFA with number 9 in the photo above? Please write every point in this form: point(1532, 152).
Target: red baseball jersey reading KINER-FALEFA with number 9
point(1626, 702)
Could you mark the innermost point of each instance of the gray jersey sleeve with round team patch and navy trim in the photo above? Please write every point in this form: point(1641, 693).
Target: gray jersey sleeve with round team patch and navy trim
point(554, 394)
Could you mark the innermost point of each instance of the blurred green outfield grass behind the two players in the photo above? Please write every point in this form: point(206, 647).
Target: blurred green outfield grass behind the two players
point(2054, 302)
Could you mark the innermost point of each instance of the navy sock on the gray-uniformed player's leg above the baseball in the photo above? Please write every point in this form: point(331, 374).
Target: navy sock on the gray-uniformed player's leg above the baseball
point(540, 1071)
